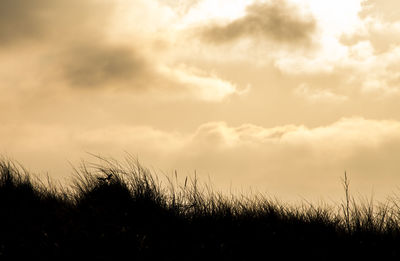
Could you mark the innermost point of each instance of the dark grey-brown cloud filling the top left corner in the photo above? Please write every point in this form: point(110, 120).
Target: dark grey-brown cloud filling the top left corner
point(22, 21)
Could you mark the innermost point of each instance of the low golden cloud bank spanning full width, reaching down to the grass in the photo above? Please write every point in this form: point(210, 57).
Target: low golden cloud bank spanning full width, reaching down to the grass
point(290, 159)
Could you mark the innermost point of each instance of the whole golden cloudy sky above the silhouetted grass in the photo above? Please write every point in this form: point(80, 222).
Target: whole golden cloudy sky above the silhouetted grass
point(276, 96)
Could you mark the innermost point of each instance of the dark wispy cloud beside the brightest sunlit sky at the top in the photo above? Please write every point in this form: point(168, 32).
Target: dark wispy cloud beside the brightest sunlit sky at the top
point(277, 21)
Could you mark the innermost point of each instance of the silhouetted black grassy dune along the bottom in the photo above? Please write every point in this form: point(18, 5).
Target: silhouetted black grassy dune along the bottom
point(122, 211)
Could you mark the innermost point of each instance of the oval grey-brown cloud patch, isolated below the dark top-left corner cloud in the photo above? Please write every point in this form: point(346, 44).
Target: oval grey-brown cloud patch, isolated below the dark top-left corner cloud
point(94, 65)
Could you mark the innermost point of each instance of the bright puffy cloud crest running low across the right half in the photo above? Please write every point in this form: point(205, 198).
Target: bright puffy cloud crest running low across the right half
point(347, 133)
